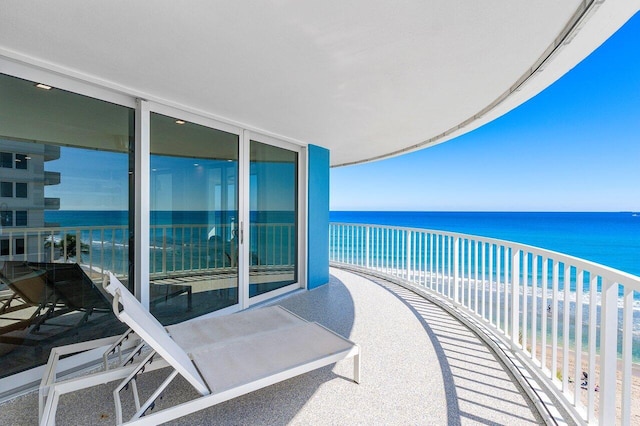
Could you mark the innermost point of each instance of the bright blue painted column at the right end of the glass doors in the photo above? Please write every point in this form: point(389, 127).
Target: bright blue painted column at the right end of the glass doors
point(318, 217)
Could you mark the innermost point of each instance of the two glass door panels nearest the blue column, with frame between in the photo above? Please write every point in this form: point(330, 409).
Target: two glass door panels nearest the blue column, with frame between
point(224, 218)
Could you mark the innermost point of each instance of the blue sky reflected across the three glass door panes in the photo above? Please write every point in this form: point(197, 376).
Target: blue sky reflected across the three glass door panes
point(97, 180)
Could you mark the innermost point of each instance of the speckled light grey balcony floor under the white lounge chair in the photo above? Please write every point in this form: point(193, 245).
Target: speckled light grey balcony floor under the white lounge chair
point(419, 366)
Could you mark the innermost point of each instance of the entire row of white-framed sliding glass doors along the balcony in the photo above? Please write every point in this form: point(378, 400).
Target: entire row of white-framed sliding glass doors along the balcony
point(193, 215)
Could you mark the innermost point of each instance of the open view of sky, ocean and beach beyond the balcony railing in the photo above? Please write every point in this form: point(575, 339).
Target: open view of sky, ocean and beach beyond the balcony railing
point(538, 176)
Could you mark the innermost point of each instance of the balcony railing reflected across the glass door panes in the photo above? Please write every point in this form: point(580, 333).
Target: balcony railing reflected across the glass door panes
point(173, 248)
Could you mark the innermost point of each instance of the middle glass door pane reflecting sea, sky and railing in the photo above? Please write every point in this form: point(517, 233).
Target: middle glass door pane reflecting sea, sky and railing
point(194, 219)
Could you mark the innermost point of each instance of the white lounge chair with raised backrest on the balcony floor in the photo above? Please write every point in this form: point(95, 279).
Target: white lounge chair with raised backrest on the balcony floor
point(222, 357)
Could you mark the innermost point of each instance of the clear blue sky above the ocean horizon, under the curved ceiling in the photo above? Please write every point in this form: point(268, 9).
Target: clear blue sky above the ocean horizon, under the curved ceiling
point(574, 147)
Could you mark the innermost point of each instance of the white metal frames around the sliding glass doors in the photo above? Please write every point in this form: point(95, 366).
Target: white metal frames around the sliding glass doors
point(86, 85)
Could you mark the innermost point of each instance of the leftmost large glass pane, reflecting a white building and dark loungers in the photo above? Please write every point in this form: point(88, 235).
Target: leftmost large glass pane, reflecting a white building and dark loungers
point(64, 219)
